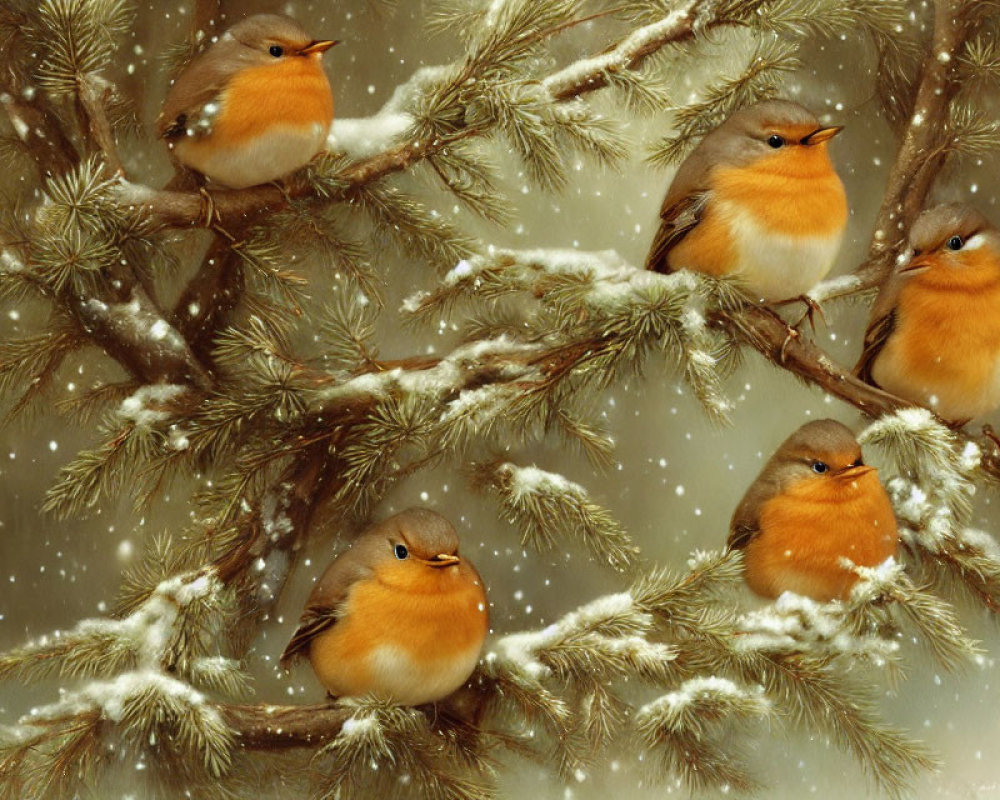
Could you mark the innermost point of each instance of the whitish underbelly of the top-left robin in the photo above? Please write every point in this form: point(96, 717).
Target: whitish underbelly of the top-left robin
point(268, 158)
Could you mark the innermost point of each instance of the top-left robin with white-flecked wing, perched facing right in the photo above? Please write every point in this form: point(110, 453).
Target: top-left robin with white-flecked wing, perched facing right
point(253, 107)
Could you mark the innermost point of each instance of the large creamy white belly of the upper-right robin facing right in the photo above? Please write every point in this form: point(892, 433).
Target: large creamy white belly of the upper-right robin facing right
point(779, 267)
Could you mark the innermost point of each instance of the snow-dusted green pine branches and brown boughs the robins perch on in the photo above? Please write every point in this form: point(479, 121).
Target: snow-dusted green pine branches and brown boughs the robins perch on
point(670, 667)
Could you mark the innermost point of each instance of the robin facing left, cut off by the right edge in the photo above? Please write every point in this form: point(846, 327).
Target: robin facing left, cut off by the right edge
point(934, 334)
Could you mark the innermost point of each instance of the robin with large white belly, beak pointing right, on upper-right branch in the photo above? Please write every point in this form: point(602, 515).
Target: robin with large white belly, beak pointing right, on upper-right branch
point(758, 199)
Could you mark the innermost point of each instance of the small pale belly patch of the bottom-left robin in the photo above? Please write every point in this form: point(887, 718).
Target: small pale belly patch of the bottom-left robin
point(397, 677)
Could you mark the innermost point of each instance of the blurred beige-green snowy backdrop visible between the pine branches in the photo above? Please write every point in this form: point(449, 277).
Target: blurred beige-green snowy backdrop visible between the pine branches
point(677, 477)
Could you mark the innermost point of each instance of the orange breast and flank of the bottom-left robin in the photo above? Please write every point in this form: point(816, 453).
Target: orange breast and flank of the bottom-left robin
point(432, 615)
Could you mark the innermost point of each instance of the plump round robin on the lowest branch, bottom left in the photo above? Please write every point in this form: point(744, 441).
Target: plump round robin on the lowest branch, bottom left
point(399, 614)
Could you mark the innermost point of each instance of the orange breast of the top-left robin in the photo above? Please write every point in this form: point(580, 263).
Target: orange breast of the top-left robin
point(292, 92)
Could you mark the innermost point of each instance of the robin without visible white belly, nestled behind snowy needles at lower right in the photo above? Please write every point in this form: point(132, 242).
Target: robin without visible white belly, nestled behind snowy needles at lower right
point(815, 503)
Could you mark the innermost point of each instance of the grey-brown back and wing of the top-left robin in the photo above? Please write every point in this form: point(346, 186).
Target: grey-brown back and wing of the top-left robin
point(199, 84)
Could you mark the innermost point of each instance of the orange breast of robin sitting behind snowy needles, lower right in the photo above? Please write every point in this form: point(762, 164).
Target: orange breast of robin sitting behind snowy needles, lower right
point(808, 529)
